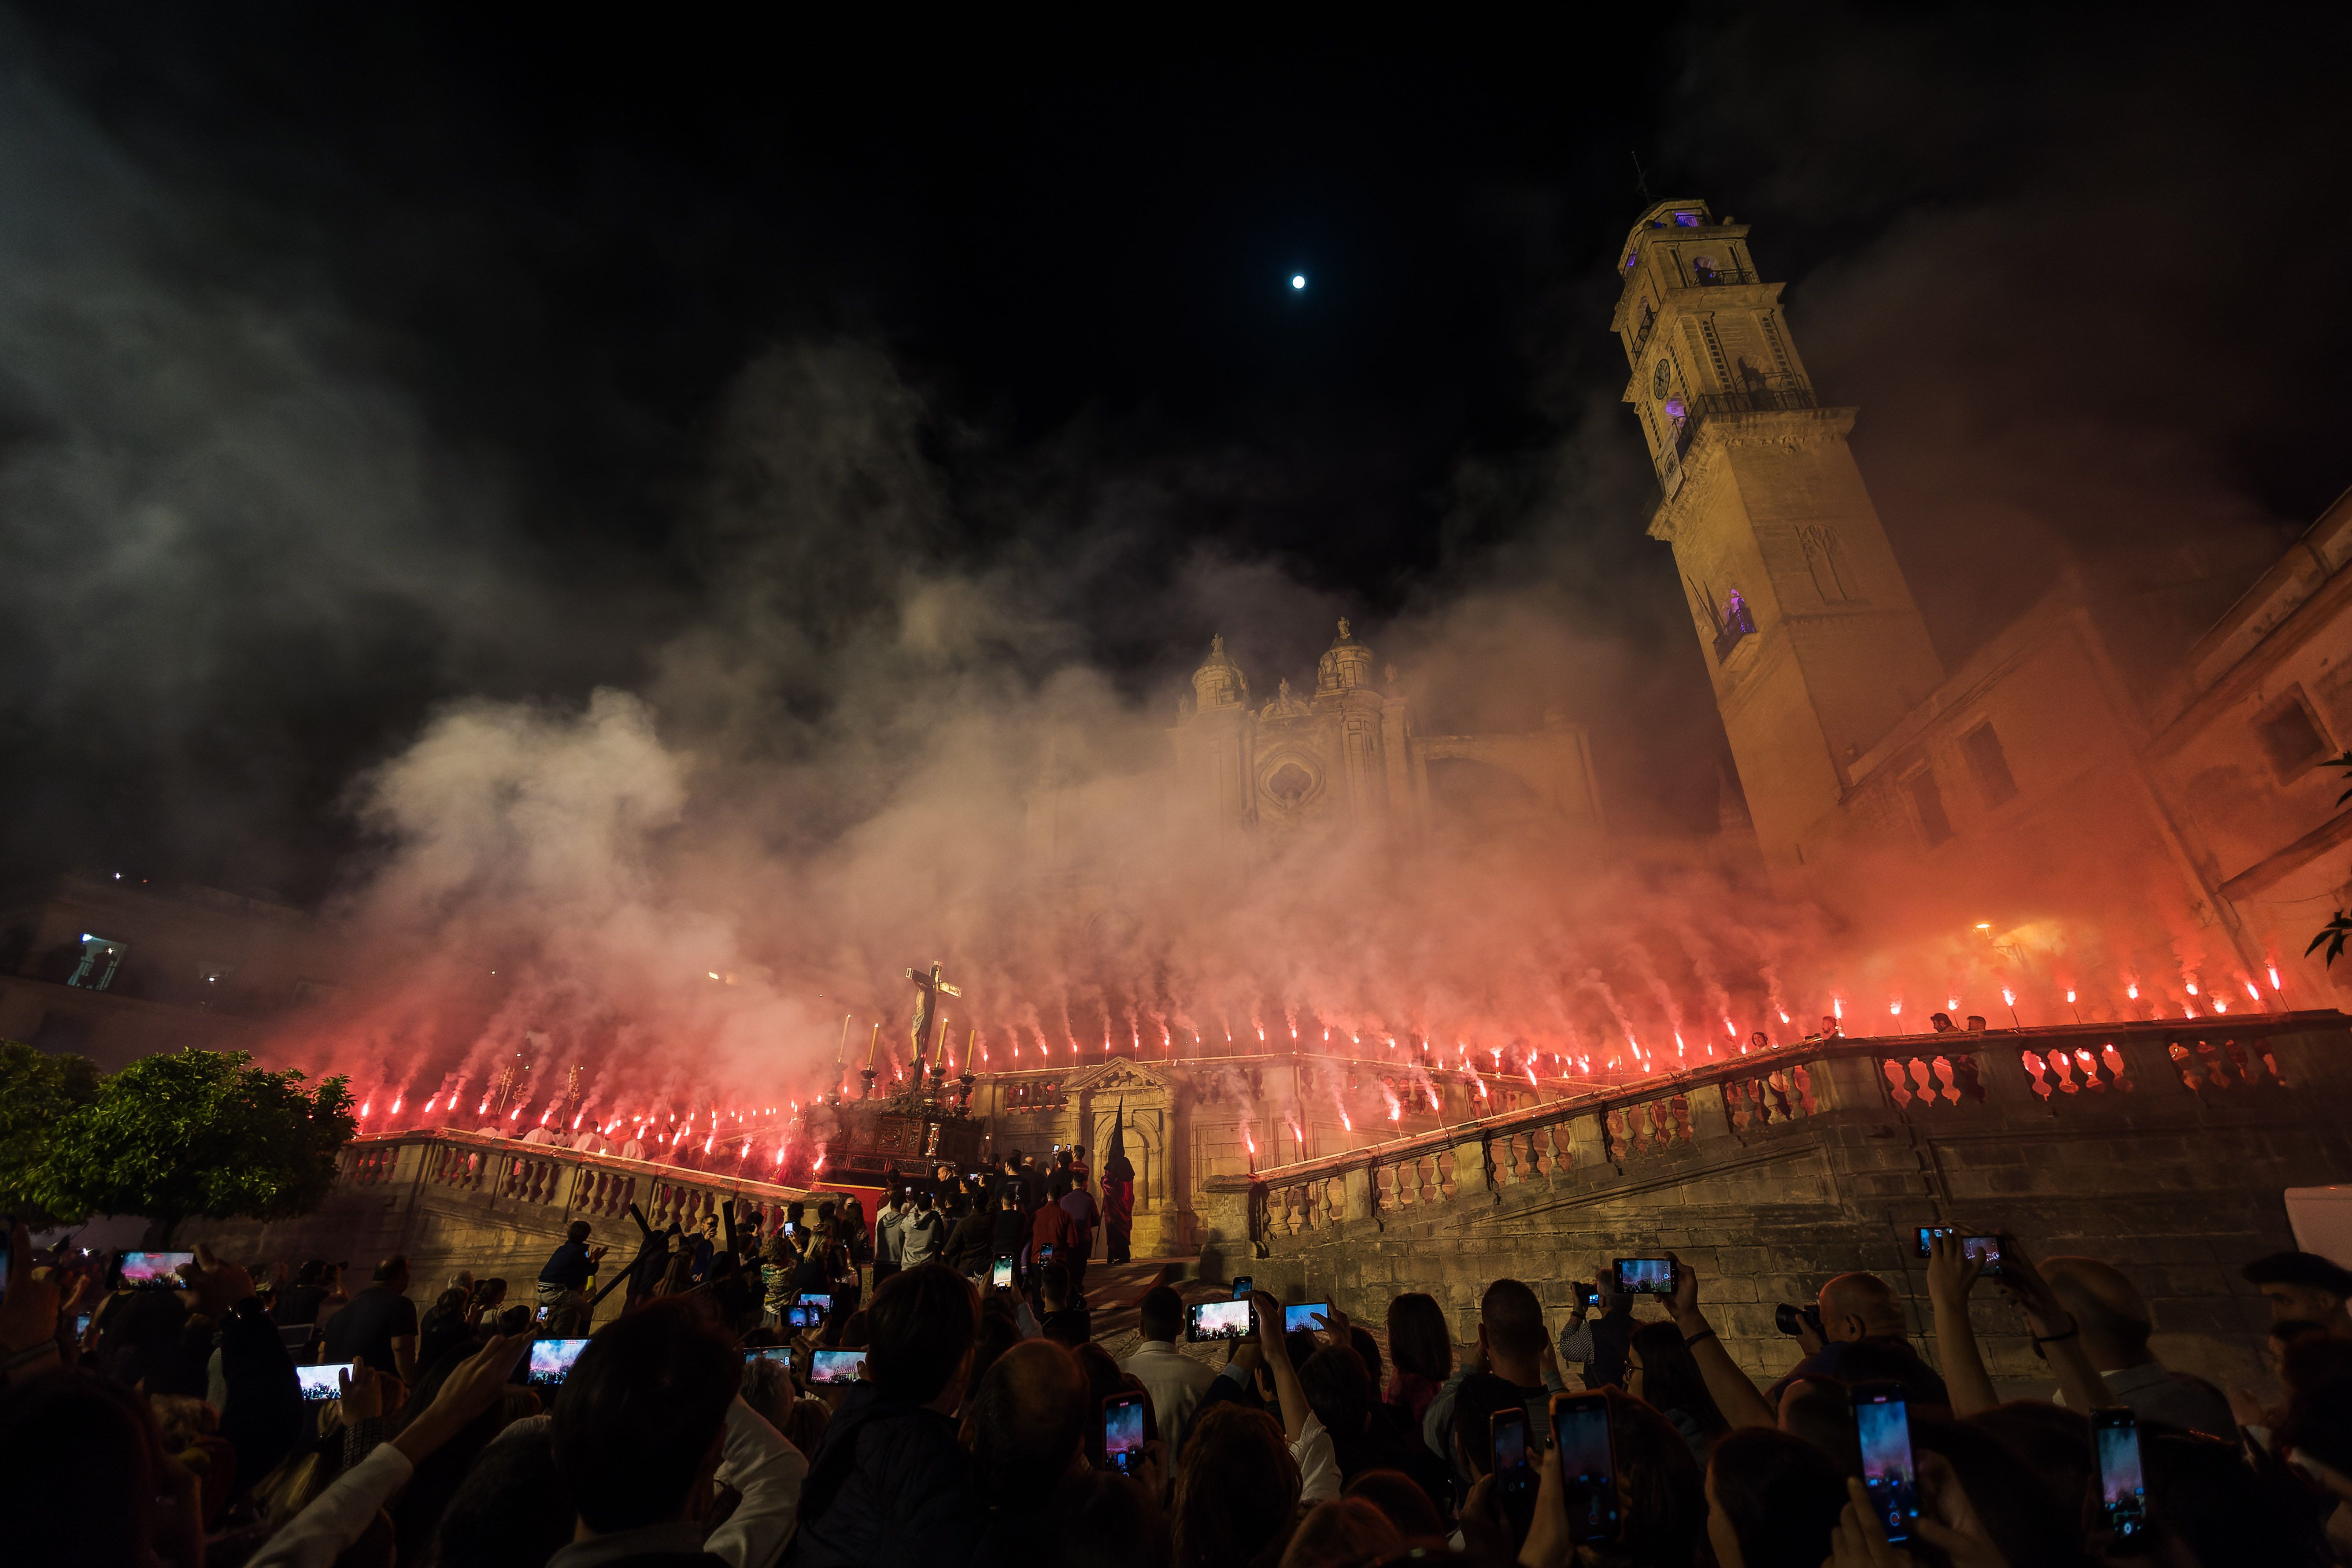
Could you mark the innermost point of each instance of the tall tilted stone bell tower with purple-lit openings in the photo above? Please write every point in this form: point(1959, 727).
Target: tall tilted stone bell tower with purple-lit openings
point(1800, 608)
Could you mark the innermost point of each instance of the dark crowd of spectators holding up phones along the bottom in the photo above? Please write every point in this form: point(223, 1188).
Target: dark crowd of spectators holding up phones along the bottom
point(791, 1391)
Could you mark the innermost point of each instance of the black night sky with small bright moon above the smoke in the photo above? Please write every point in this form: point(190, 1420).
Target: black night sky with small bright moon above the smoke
point(465, 297)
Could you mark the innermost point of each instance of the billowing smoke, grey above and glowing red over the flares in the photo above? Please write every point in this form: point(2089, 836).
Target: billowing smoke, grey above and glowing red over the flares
point(674, 815)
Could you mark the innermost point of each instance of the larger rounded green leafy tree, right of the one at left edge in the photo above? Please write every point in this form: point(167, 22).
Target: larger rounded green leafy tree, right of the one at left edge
point(199, 1134)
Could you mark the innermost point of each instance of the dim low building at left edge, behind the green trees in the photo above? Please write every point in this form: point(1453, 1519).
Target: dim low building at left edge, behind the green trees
point(114, 967)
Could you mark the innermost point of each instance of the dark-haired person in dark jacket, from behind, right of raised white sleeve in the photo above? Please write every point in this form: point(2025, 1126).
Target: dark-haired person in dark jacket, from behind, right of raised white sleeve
point(890, 1485)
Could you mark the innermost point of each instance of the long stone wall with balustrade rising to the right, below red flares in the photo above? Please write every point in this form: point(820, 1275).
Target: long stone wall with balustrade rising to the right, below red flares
point(2158, 1146)
